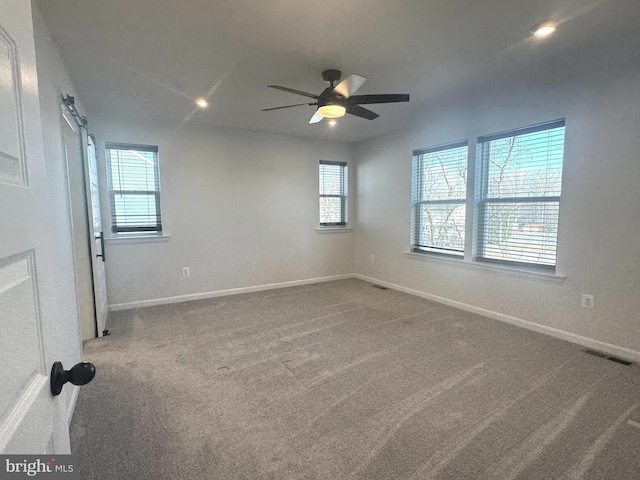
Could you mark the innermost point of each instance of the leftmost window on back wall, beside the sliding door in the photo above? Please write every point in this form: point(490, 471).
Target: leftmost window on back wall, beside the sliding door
point(134, 189)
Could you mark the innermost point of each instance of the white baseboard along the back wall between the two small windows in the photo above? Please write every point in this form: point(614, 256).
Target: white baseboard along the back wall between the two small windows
point(223, 293)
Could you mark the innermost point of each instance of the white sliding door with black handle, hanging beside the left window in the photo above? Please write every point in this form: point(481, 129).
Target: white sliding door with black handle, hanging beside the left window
point(97, 254)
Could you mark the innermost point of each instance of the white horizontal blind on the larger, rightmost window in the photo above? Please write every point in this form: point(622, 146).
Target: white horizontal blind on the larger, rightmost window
point(518, 185)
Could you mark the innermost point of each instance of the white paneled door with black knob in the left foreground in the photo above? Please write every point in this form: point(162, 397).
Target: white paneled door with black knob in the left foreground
point(33, 333)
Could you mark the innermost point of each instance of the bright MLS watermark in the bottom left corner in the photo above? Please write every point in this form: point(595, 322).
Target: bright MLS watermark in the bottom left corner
point(52, 467)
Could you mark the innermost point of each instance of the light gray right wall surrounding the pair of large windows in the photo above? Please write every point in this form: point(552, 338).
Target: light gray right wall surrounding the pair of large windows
point(599, 243)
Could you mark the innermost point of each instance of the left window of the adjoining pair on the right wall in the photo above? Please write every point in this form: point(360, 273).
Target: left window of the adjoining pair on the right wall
point(439, 196)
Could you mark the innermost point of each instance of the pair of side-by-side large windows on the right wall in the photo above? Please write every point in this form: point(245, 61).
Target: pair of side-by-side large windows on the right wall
point(516, 197)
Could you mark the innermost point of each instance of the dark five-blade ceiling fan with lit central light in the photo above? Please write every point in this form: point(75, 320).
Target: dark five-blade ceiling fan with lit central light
point(337, 100)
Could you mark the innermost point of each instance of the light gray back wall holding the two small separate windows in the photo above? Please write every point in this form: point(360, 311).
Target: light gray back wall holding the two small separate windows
point(240, 209)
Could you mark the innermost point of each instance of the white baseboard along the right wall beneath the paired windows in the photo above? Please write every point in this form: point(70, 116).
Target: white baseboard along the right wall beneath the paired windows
point(614, 350)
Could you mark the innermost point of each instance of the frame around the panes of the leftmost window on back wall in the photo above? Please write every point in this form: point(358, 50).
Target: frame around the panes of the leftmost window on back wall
point(133, 230)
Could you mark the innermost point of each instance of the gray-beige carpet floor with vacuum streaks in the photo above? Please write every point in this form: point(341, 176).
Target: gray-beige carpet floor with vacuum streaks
point(342, 380)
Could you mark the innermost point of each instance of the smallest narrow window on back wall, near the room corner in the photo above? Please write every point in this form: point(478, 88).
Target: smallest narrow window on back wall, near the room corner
point(333, 193)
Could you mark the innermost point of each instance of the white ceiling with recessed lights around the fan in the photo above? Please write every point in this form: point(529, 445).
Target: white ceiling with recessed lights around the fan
point(147, 59)
